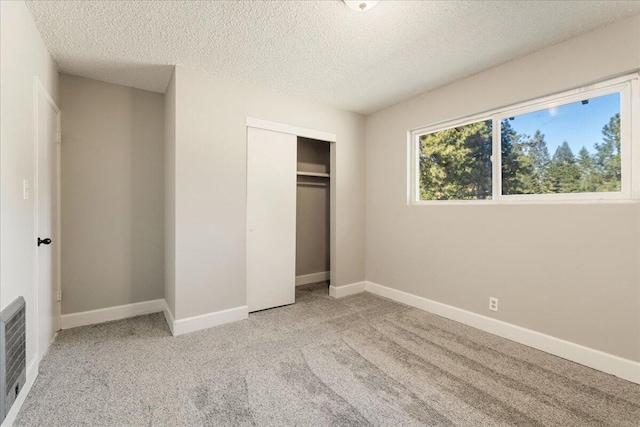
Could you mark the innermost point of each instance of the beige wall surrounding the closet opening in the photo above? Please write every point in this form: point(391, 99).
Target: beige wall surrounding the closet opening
point(210, 190)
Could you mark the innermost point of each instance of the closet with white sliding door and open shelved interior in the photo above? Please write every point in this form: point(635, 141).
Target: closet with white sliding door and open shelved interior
point(287, 215)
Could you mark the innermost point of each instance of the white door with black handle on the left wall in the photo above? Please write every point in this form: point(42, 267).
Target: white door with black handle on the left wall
point(47, 220)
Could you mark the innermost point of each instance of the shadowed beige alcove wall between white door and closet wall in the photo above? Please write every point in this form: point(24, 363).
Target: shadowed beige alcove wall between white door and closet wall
point(112, 194)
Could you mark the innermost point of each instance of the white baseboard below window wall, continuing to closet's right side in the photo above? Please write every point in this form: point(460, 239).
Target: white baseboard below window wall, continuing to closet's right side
point(596, 359)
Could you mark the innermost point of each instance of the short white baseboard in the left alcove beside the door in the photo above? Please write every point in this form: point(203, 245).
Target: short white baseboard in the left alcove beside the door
point(111, 313)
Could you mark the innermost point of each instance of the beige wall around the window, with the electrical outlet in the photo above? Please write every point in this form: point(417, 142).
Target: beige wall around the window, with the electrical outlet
point(566, 270)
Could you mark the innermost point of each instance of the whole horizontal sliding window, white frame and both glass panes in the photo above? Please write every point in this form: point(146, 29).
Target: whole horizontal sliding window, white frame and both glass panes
point(575, 145)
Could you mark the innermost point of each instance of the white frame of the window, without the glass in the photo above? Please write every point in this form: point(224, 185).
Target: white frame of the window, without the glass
point(629, 88)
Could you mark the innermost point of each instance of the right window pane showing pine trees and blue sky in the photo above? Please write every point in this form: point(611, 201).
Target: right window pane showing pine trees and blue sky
point(573, 148)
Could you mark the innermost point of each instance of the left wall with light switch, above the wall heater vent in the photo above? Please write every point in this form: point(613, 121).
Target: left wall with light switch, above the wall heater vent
point(23, 55)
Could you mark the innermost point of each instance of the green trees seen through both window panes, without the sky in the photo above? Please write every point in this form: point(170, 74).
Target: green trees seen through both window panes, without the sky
point(455, 164)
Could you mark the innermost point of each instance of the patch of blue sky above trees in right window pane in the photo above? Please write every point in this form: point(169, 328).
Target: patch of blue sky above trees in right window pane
point(578, 124)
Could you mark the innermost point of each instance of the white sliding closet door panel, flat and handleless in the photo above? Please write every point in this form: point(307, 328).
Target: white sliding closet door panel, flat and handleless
point(271, 218)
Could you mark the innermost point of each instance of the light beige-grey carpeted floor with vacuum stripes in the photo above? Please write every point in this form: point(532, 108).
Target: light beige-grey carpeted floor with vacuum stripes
point(357, 361)
